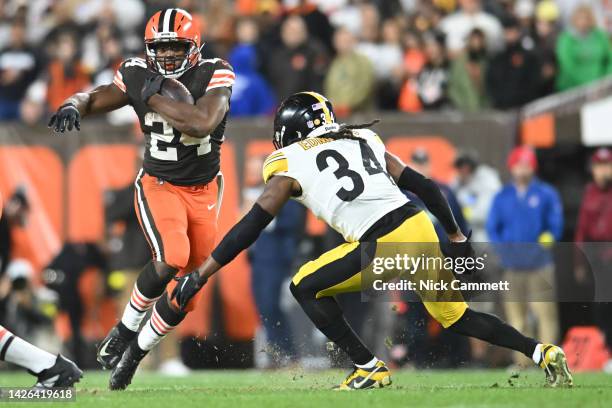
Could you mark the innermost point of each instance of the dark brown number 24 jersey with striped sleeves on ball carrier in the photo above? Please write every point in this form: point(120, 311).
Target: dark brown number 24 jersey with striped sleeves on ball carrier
point(169, 154)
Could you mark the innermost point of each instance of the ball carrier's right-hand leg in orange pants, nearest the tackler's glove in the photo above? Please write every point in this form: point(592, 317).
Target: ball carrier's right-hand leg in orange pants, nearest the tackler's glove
point(198, 240)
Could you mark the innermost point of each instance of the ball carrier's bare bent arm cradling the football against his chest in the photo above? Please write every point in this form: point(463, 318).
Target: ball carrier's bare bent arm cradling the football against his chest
point(197, 120)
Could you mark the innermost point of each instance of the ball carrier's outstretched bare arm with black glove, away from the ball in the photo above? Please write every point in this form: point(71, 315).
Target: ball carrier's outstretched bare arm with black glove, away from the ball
point(102, 99)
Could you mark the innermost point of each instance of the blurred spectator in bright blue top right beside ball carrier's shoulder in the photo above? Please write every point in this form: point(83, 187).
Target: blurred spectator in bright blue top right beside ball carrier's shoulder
point(251, 94)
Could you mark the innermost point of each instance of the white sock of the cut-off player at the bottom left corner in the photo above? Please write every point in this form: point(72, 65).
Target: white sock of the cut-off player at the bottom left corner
point(18, 351)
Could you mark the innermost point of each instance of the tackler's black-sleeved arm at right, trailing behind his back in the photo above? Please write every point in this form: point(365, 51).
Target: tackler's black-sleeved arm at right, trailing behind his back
point(428, 191)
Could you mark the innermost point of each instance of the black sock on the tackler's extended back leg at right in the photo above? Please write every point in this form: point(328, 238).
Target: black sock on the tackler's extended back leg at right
point(491, 329)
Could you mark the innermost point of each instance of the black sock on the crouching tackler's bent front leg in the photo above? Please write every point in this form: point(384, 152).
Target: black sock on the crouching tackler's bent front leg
point(327, 316)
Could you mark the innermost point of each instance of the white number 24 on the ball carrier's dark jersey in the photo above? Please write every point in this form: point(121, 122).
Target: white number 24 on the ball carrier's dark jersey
point(169, 136)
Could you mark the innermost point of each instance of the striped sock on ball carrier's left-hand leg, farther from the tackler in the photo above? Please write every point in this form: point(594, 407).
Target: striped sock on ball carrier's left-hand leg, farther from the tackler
point(147, 289)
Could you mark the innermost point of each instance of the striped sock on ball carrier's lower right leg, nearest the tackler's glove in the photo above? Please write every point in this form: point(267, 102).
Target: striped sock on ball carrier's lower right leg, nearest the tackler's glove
point(163, 320)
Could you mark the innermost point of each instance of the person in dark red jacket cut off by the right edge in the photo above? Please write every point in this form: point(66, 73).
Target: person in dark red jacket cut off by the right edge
point(595, 225)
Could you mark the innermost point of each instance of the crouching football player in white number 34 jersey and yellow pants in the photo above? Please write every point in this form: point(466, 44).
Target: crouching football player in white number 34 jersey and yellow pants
point(347, 178)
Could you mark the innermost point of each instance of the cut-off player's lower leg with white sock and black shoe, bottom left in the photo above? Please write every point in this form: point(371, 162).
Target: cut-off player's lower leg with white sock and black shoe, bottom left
point(50, 370)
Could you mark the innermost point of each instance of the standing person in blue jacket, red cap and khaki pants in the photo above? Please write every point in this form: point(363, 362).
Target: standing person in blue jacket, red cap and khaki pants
point(525, 219)
